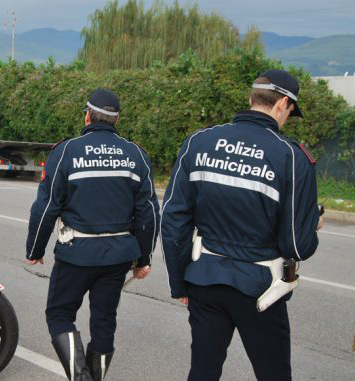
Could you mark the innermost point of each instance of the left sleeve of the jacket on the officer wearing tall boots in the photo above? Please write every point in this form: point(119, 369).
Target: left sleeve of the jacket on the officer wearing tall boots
point(48, 204)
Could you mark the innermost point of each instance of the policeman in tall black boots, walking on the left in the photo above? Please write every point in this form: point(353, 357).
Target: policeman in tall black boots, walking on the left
point(100, 185)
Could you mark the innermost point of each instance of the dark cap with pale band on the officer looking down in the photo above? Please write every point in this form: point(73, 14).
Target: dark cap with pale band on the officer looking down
point(284, 83)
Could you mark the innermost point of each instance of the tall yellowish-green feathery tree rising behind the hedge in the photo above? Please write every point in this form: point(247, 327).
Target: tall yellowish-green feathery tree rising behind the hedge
point(129, 37)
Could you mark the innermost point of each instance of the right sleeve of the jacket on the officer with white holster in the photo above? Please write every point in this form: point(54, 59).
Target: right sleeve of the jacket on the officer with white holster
point(297, 236)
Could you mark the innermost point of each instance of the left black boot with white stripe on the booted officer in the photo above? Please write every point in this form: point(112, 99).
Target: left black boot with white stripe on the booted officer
point(70, 351)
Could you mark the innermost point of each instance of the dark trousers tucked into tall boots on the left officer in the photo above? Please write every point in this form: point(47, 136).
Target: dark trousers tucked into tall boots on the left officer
point(68, 285)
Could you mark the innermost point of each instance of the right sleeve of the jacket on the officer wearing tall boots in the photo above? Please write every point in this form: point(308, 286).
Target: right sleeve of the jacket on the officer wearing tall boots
point(146, 214)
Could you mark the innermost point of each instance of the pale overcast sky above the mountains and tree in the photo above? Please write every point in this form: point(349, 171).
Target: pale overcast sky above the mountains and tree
point(315, 18)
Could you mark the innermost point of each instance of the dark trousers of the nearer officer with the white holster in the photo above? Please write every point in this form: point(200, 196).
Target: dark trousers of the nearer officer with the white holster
point(215, 312)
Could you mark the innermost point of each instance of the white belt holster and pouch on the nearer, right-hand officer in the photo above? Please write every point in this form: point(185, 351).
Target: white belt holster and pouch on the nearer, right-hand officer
point(278, 287)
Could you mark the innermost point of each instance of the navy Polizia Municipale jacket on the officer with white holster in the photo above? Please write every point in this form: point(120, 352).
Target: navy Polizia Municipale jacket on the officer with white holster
point(252, 195)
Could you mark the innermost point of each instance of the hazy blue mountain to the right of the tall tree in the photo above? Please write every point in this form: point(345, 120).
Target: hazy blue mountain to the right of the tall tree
point(333, 55)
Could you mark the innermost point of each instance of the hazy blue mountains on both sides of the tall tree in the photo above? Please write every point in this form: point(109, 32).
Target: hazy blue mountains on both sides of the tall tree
point(333, 55)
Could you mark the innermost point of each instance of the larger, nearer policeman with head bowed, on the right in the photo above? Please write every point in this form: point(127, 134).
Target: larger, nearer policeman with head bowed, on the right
point(251, 193)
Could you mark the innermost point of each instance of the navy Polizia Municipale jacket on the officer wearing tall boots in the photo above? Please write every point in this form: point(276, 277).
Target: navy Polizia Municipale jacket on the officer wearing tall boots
point(97, 183)
